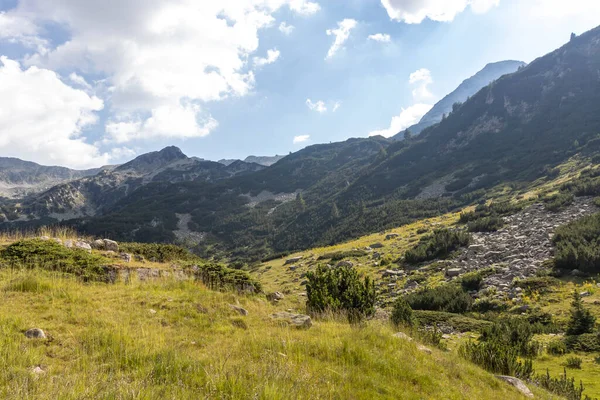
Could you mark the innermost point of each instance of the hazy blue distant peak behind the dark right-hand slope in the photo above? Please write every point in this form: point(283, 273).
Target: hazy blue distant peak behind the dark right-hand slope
point(468, 88)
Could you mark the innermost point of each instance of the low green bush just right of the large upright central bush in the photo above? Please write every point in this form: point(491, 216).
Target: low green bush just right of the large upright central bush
point(449, 298)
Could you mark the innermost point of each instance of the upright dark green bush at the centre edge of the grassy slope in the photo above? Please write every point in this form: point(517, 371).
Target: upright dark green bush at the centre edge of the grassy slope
point(340, 289)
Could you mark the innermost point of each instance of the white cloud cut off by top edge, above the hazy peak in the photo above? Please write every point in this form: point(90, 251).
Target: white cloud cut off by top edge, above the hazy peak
point(415, 11)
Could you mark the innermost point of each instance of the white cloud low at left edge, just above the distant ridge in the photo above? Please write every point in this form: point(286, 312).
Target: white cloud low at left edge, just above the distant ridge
point(43, 118)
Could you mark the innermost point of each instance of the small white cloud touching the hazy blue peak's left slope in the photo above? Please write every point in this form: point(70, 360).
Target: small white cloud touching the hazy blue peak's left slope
point(420, 80)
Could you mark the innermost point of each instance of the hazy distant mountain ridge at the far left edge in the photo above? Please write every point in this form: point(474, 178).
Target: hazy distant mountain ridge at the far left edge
point(19, 178)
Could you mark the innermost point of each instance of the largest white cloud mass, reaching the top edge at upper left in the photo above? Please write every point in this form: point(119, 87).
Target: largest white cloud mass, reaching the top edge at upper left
point(160, 57)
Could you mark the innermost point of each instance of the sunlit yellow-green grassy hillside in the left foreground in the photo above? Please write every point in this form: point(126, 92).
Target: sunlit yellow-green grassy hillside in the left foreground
point(176, 339)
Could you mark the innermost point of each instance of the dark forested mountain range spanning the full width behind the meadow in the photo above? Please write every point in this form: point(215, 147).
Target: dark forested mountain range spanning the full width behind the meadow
point(511, 131)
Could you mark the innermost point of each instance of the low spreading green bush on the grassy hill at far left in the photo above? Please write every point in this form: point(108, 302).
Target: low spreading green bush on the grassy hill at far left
point(51, 256)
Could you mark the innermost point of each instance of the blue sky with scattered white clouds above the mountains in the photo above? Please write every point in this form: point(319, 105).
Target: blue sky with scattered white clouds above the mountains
point(85, 83)
